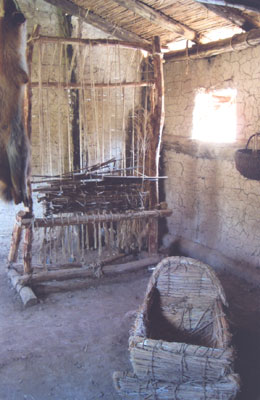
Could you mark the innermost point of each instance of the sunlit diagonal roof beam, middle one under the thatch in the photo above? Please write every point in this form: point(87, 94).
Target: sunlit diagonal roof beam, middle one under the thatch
point(158, 18)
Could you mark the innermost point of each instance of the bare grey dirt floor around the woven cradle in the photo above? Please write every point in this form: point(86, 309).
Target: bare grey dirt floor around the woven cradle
point(67, 346)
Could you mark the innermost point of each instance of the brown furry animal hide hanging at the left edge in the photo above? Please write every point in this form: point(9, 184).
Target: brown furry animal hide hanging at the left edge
point(14, 143)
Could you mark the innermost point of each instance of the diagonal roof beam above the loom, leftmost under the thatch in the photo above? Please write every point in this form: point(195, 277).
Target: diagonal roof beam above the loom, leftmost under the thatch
point(89, 17)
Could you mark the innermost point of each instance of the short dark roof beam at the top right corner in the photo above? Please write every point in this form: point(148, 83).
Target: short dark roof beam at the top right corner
point(233, 15)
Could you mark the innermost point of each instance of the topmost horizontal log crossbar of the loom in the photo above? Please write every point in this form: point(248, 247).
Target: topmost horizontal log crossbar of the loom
point(96, 42)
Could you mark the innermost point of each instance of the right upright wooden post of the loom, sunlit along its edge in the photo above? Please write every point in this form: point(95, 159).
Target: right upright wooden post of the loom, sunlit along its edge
point(155, 144)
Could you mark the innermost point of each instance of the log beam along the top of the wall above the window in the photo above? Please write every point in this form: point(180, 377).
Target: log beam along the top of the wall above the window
point(236, 42)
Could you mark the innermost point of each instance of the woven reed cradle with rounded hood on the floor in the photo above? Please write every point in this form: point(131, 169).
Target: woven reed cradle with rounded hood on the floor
point(180, 343)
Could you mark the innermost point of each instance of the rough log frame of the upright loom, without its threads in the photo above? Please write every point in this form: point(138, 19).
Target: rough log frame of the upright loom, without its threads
point(25, 219)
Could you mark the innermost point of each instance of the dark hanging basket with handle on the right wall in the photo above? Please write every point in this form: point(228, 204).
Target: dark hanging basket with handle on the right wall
point(248, 161)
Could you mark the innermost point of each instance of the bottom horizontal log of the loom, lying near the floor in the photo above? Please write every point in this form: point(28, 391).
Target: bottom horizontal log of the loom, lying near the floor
point(108, 270)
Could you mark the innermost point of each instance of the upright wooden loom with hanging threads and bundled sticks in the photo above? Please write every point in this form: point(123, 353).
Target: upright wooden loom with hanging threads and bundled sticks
point(98, 129)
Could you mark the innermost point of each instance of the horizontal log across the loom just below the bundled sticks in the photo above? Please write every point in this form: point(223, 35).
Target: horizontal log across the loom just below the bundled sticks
point(94, 218)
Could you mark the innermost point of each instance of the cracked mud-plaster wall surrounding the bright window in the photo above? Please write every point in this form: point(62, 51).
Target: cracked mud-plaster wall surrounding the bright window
point(213, 205)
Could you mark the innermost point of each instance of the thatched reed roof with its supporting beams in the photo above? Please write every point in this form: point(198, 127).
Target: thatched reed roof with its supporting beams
point(172, 20)
